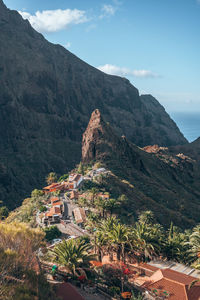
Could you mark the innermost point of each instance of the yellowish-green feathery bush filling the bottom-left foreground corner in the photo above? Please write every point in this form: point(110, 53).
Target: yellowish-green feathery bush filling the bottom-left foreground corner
point(18, 255)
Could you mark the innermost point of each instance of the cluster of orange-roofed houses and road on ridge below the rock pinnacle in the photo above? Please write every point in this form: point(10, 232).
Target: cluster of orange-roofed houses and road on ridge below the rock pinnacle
point(63, 210)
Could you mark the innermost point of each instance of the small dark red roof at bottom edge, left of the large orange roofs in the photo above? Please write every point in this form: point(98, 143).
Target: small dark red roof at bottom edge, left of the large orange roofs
point(67, 292)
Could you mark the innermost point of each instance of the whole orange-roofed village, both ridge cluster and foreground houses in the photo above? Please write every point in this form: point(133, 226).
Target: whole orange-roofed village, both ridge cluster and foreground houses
point(154, 279)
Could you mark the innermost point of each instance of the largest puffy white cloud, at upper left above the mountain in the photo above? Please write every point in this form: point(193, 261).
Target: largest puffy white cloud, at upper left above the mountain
point(55, 20)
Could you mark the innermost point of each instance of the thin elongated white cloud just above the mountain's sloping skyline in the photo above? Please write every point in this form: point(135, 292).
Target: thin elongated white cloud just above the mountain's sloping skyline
point(124, 72)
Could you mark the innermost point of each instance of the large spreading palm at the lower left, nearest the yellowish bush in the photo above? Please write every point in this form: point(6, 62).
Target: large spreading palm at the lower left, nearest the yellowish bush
point(73, 254)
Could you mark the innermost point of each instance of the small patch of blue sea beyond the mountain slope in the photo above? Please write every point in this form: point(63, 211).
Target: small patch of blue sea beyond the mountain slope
point(188, 123)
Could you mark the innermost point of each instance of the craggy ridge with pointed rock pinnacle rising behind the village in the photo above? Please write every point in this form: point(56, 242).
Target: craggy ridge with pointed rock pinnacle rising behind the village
point(152, 178)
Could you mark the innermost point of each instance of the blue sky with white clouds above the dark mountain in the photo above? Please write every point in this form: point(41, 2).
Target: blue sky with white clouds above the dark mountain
point(153, 43)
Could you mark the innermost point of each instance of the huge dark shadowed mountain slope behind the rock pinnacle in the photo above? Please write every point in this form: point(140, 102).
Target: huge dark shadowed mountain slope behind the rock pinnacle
point(46, 97)
